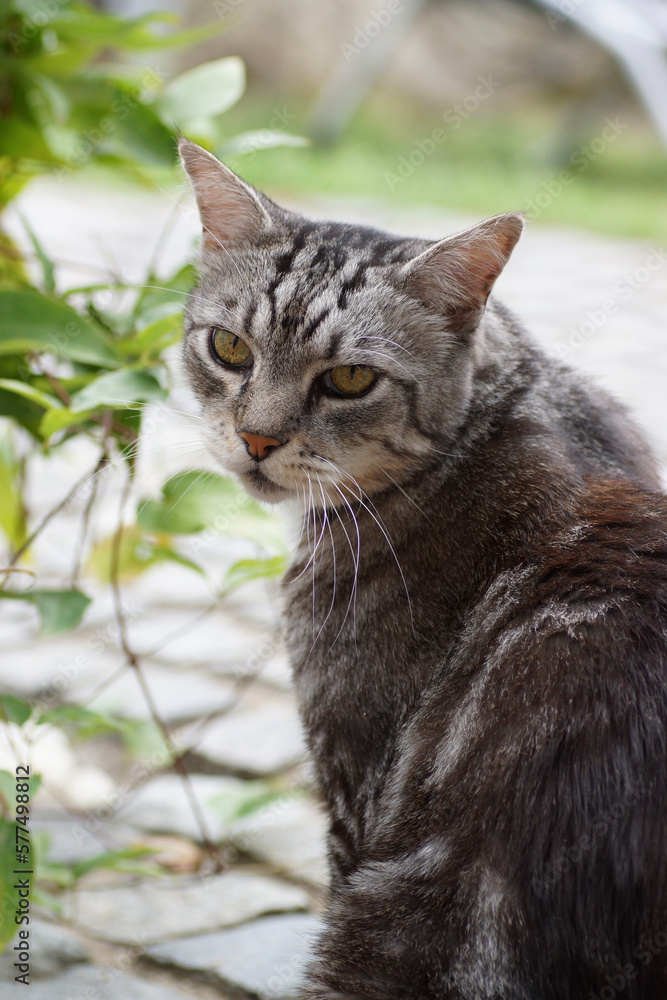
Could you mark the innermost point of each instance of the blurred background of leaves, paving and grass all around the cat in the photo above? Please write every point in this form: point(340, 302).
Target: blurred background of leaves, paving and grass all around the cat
point(174, 843)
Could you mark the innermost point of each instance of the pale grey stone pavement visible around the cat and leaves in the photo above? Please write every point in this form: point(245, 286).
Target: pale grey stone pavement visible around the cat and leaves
point(245, 931)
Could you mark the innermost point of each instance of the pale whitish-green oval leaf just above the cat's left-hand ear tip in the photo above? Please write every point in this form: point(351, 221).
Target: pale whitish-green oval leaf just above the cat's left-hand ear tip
point(202, 92)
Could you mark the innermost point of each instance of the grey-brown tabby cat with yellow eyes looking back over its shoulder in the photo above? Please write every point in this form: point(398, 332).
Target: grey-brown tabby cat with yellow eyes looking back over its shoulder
point(476, 611)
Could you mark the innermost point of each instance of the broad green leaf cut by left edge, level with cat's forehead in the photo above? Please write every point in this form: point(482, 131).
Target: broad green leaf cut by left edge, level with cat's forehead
point(33, 322)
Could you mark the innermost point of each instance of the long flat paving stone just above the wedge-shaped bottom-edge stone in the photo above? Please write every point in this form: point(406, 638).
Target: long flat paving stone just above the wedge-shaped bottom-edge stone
point(157, 911)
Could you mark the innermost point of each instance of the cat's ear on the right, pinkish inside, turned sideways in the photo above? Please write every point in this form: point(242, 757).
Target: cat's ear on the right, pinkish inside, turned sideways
point(455, 276)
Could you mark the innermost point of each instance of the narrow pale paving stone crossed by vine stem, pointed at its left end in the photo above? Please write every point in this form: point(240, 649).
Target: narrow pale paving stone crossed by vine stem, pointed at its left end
point(178, 694)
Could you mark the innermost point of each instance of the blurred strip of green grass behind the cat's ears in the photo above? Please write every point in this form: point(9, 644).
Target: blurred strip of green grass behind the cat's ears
point(492, 163)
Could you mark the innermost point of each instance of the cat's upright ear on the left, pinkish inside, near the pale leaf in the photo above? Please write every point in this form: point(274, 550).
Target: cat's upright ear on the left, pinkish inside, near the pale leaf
point(229, 209)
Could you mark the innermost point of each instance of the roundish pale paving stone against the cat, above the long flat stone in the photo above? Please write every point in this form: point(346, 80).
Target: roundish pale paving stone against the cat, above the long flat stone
point(290, 833)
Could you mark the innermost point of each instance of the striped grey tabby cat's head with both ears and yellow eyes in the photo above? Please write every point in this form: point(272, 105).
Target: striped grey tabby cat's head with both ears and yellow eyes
point(328, 356)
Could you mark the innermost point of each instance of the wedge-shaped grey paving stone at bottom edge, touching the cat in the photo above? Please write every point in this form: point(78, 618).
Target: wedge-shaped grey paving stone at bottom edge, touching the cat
point(267, 957)
